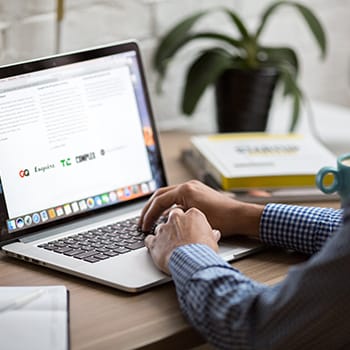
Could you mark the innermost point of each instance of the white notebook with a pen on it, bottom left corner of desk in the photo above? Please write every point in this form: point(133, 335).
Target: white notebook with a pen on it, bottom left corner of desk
point(34, 318)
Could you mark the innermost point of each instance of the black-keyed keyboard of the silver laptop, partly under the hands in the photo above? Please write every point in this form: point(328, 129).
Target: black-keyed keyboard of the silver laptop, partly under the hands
point(100, 243)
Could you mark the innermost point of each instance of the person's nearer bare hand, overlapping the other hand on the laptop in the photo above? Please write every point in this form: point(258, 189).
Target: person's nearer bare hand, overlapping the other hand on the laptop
point(181, 228)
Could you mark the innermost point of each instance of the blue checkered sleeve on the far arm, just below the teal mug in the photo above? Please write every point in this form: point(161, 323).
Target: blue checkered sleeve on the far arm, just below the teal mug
point(305, 229)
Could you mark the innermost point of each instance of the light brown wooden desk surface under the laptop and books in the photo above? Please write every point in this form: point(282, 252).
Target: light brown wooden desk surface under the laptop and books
point(105, 318)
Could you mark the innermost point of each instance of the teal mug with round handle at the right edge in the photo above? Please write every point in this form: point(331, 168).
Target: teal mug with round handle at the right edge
point(341, 178)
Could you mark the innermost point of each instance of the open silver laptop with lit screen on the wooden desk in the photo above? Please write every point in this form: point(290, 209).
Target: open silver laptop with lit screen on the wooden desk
point(79, 157)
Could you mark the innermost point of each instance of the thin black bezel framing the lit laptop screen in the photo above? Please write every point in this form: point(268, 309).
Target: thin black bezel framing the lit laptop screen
point(75, 57)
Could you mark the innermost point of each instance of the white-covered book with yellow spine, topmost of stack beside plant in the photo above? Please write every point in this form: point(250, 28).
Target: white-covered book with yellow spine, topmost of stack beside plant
point(260, 160)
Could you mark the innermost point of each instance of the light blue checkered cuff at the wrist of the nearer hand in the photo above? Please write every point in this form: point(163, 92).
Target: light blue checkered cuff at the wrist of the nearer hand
point(187, 260)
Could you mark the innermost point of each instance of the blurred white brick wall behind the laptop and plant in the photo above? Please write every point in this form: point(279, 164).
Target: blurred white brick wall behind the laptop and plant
point(27, 30)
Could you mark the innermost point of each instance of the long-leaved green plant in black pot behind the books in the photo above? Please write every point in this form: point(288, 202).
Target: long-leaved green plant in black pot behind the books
point(243, 70)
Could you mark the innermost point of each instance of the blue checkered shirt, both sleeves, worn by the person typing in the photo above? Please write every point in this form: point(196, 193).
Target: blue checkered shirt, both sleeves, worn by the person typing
point(310, 309)
